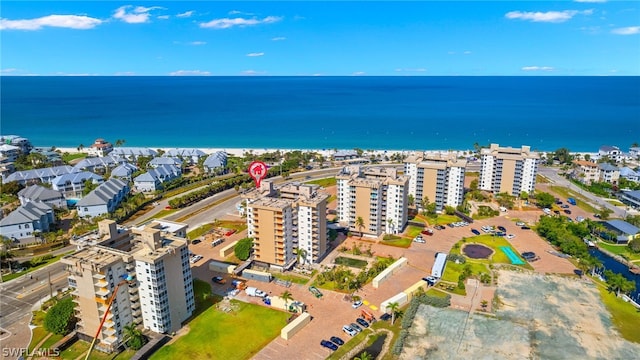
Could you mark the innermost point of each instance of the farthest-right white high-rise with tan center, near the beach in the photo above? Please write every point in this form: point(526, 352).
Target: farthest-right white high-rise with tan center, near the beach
point(508, 170)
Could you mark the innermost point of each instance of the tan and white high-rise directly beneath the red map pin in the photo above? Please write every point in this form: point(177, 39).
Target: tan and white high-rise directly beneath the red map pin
point(285, 218)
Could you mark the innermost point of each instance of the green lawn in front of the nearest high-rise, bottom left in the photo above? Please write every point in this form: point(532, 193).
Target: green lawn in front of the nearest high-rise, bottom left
point(219, 335)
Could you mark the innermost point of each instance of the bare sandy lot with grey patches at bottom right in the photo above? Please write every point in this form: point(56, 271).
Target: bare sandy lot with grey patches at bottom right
point(539, 317)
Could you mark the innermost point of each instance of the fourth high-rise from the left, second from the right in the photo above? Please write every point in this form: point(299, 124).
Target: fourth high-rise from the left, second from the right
point(438, 177)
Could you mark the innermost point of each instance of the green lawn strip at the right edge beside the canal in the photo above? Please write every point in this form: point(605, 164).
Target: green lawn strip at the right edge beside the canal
point(625, 316)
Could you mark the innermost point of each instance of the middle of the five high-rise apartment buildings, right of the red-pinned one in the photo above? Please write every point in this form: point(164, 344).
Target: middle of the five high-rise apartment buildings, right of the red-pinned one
point(376, 196)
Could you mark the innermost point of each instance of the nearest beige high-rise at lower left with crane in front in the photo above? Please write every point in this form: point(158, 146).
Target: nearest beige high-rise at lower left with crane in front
point(144, 272)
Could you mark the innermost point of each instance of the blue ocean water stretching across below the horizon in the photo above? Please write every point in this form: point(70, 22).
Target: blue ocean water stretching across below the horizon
point(399, 113)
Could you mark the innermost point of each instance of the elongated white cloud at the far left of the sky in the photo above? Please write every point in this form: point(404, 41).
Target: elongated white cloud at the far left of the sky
point(79, 22)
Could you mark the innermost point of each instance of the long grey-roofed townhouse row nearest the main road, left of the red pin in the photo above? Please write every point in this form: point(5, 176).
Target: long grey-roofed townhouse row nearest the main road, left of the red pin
point(104, 199)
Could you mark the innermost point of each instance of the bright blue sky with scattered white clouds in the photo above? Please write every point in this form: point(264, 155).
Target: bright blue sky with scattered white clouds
point(587, 37)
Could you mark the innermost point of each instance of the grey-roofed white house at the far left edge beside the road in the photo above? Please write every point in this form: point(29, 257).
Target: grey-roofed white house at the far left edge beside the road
point(27, 219)
